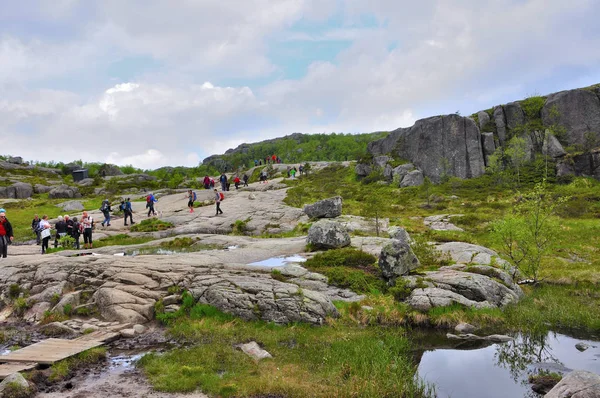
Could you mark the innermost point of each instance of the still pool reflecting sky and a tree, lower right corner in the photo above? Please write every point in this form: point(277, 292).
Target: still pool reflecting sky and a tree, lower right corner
point(502, 370)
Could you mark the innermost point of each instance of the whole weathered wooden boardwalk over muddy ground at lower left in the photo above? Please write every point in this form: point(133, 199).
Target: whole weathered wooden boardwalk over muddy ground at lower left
point(49, 351)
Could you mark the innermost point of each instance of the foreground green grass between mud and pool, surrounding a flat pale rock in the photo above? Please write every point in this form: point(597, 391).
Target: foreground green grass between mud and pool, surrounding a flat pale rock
point(307, 361)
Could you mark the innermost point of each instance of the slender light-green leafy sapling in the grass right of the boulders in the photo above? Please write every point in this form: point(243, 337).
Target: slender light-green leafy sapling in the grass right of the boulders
point(531, 232)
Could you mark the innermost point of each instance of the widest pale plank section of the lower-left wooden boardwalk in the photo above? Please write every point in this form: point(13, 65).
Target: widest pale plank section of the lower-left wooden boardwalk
point(49, 351)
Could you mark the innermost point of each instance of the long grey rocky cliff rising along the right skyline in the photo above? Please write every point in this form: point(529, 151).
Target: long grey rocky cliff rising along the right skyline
point(459, 146)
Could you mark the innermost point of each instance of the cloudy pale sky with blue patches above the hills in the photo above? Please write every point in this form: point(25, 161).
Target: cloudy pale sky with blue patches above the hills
point(153, 83)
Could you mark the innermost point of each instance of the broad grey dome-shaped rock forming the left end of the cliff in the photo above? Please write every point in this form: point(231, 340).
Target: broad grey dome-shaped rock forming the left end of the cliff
point(440, 145)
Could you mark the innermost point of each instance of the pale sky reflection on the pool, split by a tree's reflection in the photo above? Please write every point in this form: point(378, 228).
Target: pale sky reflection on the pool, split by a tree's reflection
point(474, 374)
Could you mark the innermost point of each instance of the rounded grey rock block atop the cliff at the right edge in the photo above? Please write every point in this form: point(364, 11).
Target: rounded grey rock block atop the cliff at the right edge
point(576, 110)
